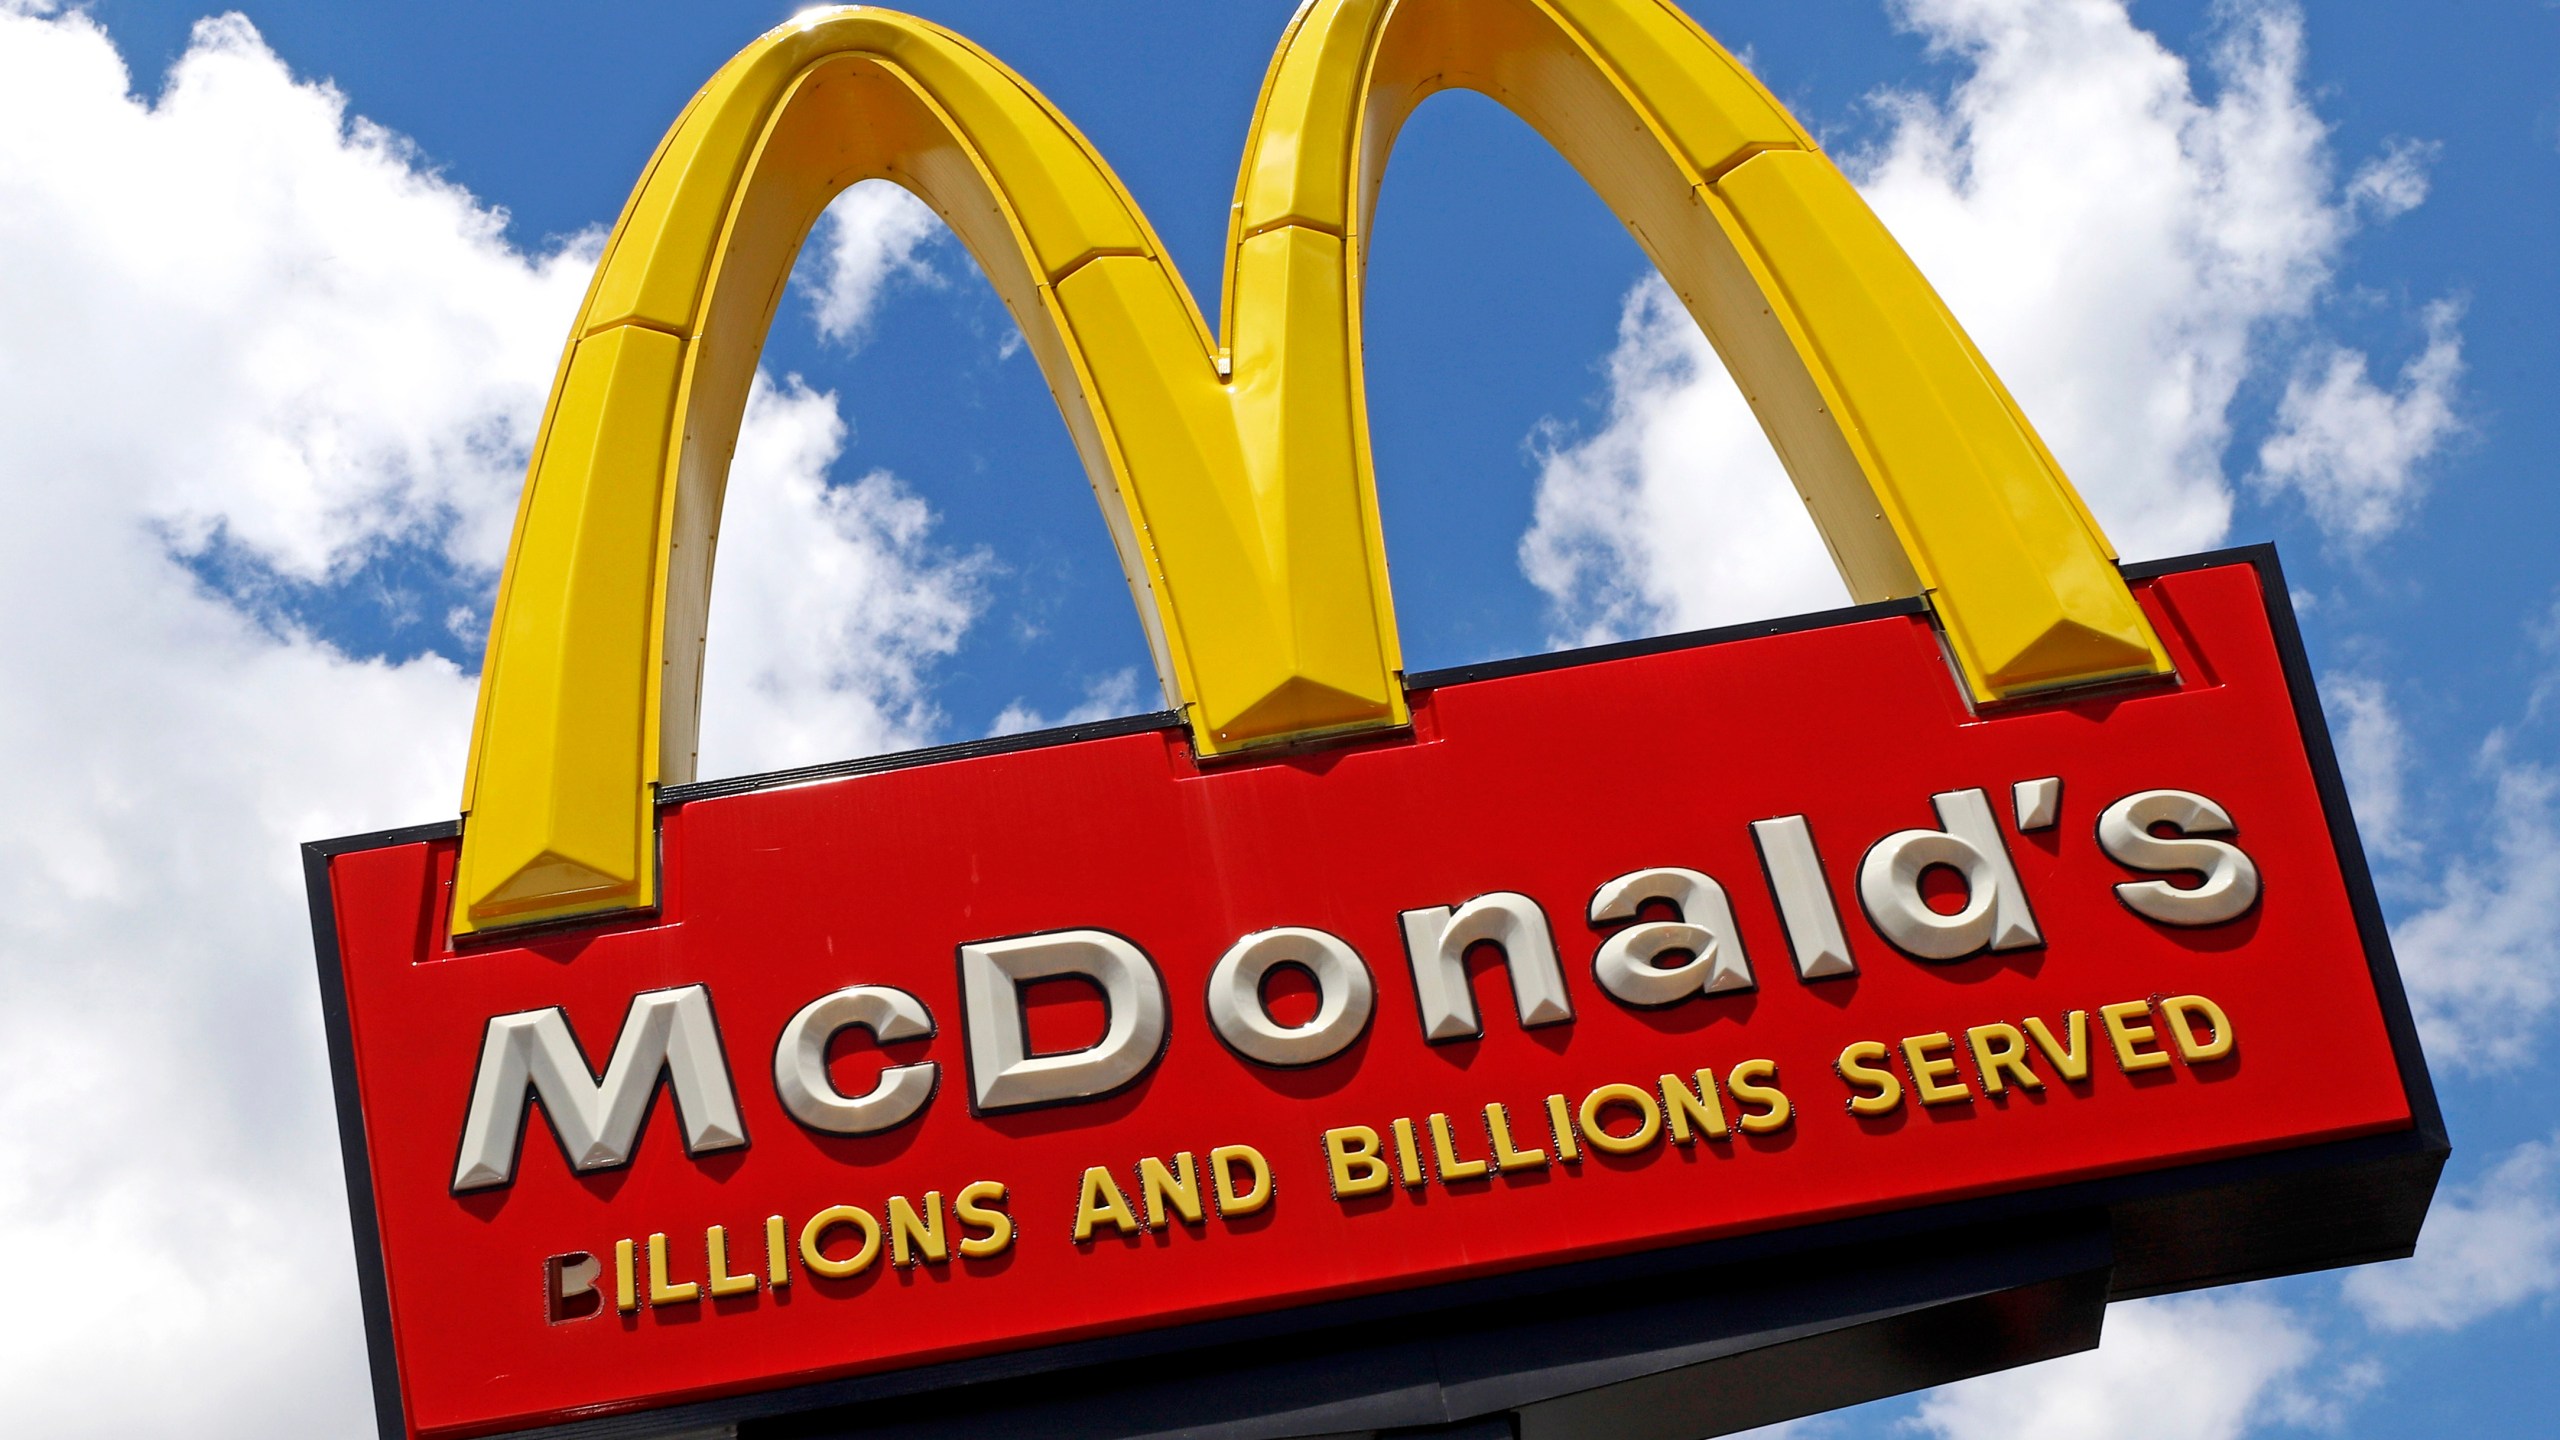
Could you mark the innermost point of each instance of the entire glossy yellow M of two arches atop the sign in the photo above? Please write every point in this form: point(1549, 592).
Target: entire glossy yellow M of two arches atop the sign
point(1235, 475)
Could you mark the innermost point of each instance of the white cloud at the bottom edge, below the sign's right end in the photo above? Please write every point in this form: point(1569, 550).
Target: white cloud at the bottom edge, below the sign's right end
point(2203, 1367)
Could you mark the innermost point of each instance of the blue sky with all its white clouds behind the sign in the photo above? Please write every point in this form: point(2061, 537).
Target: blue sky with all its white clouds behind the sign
point(270, 357)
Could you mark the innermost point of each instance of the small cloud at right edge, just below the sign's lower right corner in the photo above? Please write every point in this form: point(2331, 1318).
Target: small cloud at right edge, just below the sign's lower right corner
point(2487, 1249)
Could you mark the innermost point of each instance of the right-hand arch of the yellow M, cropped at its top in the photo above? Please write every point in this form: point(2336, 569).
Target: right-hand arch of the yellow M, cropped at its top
point(1914, 460)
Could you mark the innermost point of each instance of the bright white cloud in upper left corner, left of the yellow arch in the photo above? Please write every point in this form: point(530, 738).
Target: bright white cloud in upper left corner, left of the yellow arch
point(311, 345)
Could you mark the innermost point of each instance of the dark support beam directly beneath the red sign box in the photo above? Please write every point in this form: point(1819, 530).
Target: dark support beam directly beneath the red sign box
point(1665, 1354)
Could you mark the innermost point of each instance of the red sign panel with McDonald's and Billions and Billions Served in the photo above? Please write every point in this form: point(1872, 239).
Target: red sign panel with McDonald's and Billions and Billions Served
point(1617, 954)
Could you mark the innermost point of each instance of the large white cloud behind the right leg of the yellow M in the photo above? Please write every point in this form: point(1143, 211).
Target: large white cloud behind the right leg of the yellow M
point(2124, 237)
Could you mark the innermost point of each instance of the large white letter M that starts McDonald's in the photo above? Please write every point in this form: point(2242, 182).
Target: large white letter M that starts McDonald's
point(531, 1057)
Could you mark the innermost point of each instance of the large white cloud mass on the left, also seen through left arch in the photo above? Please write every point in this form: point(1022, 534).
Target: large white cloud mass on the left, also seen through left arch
point(242, 324)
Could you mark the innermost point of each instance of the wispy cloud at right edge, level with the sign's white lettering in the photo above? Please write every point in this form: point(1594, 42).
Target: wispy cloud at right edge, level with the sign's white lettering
point(2484, 960)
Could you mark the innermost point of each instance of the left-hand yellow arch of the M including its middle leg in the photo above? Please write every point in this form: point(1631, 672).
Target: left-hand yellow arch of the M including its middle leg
point(557, 806)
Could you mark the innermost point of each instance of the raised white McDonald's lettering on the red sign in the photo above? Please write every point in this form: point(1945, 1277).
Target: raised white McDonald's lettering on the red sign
point(1665, 937)
